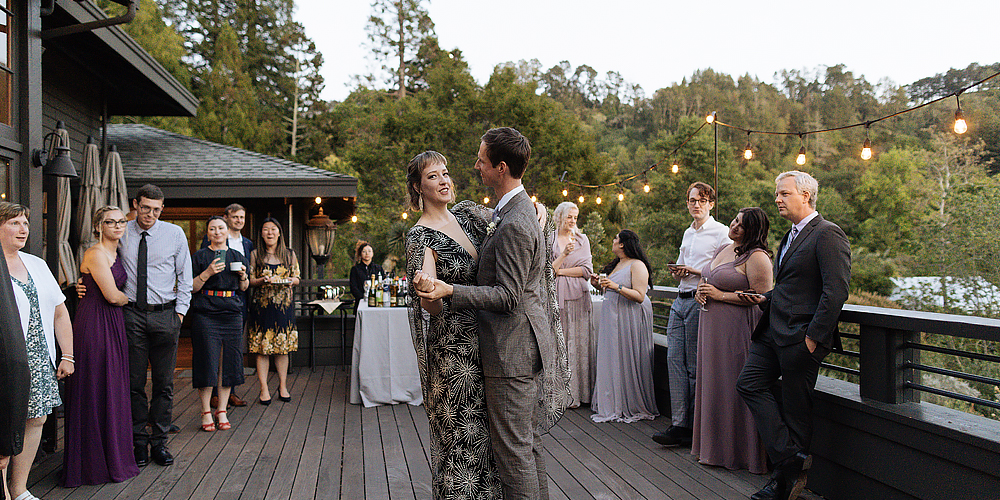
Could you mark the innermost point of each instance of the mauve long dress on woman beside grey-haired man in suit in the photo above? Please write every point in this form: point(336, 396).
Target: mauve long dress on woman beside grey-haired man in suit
point(724, 430)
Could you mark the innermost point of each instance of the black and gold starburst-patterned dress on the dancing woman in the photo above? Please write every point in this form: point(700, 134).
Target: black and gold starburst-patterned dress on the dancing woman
point(451, 374)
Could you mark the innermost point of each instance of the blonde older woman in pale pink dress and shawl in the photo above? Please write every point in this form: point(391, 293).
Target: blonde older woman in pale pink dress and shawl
point(573, 265)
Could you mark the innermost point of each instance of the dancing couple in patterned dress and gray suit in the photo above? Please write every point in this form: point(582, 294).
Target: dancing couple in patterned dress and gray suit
point(489, 346)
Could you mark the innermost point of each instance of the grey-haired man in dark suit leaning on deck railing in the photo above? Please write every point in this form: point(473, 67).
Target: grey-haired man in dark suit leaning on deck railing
point(798, 329)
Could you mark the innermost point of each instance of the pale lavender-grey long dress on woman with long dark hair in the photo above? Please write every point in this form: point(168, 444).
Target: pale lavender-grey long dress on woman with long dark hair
point(623, 391)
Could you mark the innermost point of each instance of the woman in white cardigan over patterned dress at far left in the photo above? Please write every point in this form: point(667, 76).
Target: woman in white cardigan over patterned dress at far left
point(45, 322)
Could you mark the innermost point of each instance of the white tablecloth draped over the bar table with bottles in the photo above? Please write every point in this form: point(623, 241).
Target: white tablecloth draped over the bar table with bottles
point(384, 364)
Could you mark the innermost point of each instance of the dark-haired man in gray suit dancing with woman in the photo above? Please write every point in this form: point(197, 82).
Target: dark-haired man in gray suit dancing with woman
point(514, 333)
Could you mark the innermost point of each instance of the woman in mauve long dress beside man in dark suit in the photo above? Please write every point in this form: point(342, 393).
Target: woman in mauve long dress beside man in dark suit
point(724, 431)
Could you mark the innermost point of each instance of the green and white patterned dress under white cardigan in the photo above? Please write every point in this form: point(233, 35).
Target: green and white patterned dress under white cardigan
point(44, 393)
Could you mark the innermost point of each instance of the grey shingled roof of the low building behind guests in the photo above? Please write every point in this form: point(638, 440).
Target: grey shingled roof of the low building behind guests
point(185, 167)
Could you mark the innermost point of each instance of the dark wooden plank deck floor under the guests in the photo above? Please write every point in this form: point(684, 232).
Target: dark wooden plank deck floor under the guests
point(320, 446)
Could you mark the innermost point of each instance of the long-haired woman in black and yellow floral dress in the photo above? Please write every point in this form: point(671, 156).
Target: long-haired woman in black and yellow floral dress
point(274, 271)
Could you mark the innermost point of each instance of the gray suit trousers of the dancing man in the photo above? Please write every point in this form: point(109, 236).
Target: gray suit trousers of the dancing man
point(512, 404)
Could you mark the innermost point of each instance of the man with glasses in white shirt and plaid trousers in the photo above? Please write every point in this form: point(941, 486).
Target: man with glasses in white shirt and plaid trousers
point(701, 240)
